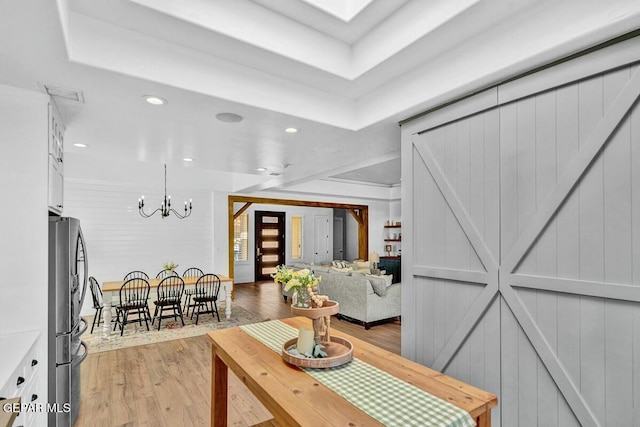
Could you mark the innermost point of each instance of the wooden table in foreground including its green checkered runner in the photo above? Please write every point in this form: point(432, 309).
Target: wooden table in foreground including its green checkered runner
point(375, 388)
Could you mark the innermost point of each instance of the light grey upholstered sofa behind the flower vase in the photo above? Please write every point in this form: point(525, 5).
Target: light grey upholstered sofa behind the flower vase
point(364, 298)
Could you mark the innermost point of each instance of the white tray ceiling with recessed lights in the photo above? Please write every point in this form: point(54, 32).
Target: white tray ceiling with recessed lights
point(342, 72)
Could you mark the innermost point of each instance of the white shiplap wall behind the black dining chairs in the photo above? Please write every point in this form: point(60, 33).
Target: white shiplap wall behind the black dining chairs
point(120, 240)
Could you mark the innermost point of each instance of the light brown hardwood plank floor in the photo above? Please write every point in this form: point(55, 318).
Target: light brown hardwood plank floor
point(168, 383)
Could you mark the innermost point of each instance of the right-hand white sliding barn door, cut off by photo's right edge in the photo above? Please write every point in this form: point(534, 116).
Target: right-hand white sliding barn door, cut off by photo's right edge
point(570, 180)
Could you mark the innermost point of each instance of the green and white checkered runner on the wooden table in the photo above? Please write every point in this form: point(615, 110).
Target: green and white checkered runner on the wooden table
point(388, 399)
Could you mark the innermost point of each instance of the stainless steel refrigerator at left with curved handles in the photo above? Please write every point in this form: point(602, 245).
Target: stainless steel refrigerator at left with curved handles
point(68, 276)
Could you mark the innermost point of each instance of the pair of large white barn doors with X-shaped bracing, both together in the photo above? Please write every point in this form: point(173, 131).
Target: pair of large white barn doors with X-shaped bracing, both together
point(524, 224)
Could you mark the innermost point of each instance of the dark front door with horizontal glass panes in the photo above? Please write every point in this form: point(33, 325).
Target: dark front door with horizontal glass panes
point(269, 240)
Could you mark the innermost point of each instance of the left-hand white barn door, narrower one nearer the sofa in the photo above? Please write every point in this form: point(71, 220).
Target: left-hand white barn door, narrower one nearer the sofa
point(456, 230)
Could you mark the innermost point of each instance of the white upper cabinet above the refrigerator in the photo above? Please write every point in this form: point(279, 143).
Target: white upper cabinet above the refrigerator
point(56, 160)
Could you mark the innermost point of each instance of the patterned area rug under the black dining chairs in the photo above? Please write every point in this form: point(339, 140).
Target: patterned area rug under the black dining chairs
point(135, 335)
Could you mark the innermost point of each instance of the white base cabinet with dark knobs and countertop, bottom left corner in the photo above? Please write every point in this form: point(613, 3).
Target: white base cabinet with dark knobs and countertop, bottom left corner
point(20, 376)
